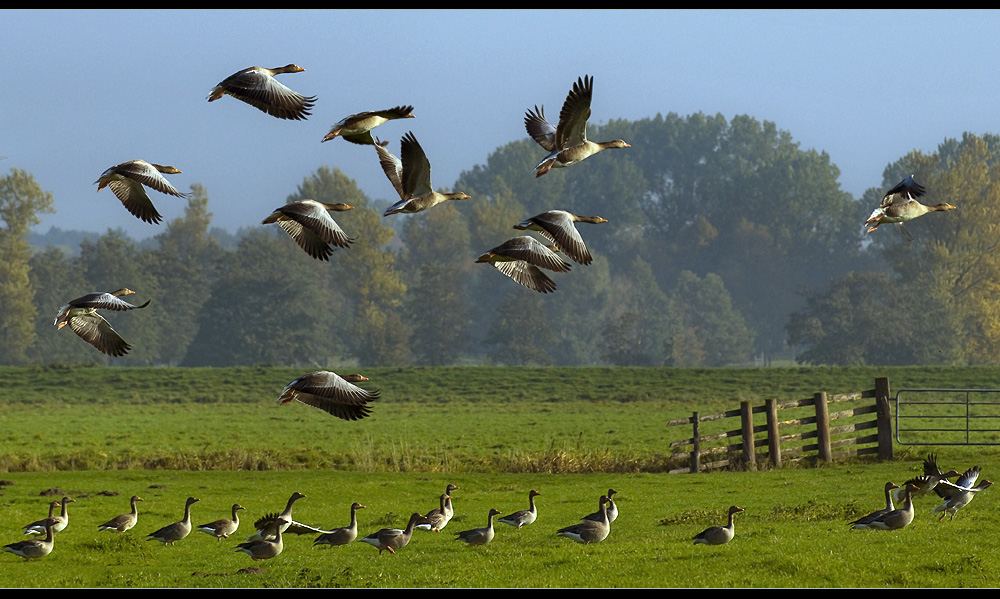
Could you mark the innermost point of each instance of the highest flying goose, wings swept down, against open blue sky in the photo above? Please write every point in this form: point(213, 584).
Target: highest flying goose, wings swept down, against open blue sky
point(257, 87)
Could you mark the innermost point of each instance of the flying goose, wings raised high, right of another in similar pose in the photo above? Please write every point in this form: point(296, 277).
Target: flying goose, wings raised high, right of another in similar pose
point(567, 142)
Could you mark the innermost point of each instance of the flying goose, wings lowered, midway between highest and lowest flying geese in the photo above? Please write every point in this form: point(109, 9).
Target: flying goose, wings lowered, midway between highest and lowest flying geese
point(309, 223)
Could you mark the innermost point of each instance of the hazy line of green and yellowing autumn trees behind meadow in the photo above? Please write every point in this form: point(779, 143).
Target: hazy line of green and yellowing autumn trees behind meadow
point(725, 240)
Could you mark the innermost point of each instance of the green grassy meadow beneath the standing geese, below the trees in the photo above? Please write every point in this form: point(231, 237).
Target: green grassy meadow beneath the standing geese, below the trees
point(100, 435)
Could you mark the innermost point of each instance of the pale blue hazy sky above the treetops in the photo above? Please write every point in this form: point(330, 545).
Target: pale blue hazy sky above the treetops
point(85, 90)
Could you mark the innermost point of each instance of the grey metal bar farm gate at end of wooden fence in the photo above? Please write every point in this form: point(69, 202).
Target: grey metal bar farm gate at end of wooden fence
point(948, 416)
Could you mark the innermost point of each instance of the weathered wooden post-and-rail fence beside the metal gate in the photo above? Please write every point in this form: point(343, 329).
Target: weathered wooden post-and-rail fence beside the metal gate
point(797, 437)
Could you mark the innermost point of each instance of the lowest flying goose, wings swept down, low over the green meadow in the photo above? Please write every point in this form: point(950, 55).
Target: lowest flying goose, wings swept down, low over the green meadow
point(332, 393)
